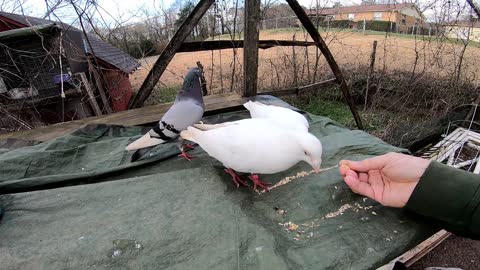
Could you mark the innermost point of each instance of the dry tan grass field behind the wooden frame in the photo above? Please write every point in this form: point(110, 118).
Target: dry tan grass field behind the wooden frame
point(349, 48)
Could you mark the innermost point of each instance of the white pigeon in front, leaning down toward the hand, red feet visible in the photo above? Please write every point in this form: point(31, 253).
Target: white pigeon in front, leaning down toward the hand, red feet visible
point(255, 146)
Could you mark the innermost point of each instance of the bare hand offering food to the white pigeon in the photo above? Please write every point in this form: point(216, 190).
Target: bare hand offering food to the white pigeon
point(388, 179)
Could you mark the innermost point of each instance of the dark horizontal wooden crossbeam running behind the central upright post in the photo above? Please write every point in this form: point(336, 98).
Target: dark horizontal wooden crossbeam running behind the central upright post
point(196, 46)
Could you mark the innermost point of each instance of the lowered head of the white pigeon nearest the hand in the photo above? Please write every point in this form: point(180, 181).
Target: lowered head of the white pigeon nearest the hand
point(312, 149)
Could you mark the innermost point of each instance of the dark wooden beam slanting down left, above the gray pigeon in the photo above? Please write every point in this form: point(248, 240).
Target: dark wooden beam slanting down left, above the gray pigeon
point(169, 52)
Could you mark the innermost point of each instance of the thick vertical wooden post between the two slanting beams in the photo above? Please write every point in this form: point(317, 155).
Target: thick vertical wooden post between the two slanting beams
point(250, 47)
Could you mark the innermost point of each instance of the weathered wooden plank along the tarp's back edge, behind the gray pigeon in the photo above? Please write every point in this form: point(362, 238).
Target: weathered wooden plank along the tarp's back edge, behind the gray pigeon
point(140, 116)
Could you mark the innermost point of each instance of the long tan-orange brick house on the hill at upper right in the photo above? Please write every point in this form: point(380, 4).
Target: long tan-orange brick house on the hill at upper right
point(401, 16)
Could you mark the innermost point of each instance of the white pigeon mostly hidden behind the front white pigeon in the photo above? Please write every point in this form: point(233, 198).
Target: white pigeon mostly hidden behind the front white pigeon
point(284, 117)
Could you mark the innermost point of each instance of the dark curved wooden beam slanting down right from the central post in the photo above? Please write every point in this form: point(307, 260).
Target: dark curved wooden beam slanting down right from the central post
point(307, 23)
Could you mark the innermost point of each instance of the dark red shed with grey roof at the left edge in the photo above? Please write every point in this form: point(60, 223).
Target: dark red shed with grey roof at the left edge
point(38, 57)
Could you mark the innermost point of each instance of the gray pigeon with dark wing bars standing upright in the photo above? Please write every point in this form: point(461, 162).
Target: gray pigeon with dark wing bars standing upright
point(187, 110)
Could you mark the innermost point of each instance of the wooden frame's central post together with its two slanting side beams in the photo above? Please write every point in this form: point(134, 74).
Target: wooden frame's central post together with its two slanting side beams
point(250, 52)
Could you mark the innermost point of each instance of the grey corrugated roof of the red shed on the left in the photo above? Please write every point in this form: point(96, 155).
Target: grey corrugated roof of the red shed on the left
point(103, 50)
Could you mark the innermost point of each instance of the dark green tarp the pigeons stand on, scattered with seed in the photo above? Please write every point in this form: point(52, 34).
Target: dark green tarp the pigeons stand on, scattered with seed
point(76, 202)
